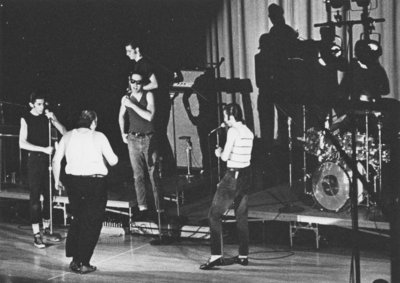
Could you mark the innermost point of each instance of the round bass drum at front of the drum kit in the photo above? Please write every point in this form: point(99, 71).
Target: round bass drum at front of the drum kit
point(331, 186)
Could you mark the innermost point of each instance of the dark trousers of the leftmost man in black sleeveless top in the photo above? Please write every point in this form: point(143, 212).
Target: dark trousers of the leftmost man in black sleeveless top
point(38, 181)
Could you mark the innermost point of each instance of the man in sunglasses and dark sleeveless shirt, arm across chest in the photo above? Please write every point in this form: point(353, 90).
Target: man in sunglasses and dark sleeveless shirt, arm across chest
point(139, 106)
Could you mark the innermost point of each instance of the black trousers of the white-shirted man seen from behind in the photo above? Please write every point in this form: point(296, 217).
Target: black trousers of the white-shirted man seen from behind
point(87, 198)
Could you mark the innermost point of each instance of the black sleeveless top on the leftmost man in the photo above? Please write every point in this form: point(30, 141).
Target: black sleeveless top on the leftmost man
point(38, 129)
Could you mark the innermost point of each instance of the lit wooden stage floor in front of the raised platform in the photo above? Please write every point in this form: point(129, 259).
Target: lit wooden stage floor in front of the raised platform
point(131, 258)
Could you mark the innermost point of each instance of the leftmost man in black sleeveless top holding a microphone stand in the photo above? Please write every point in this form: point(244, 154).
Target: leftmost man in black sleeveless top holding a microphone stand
point(34, 137)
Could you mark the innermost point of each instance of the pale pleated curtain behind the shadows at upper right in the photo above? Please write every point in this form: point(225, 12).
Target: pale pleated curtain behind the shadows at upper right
point(234, 35)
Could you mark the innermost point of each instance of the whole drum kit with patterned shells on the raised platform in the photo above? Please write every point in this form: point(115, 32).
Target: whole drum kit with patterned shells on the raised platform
point(331, 181)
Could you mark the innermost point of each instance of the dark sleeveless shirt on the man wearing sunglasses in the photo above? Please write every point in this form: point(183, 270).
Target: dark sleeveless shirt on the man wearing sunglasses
point(136, 123)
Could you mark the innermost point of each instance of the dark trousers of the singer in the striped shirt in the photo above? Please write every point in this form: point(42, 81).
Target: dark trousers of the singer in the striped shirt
point(232, 189)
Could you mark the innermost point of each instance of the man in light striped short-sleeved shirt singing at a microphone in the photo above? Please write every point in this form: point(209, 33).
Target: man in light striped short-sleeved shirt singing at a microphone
point(233, 187)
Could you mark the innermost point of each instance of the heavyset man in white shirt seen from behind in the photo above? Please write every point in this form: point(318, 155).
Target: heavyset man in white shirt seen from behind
point(86, 152)
